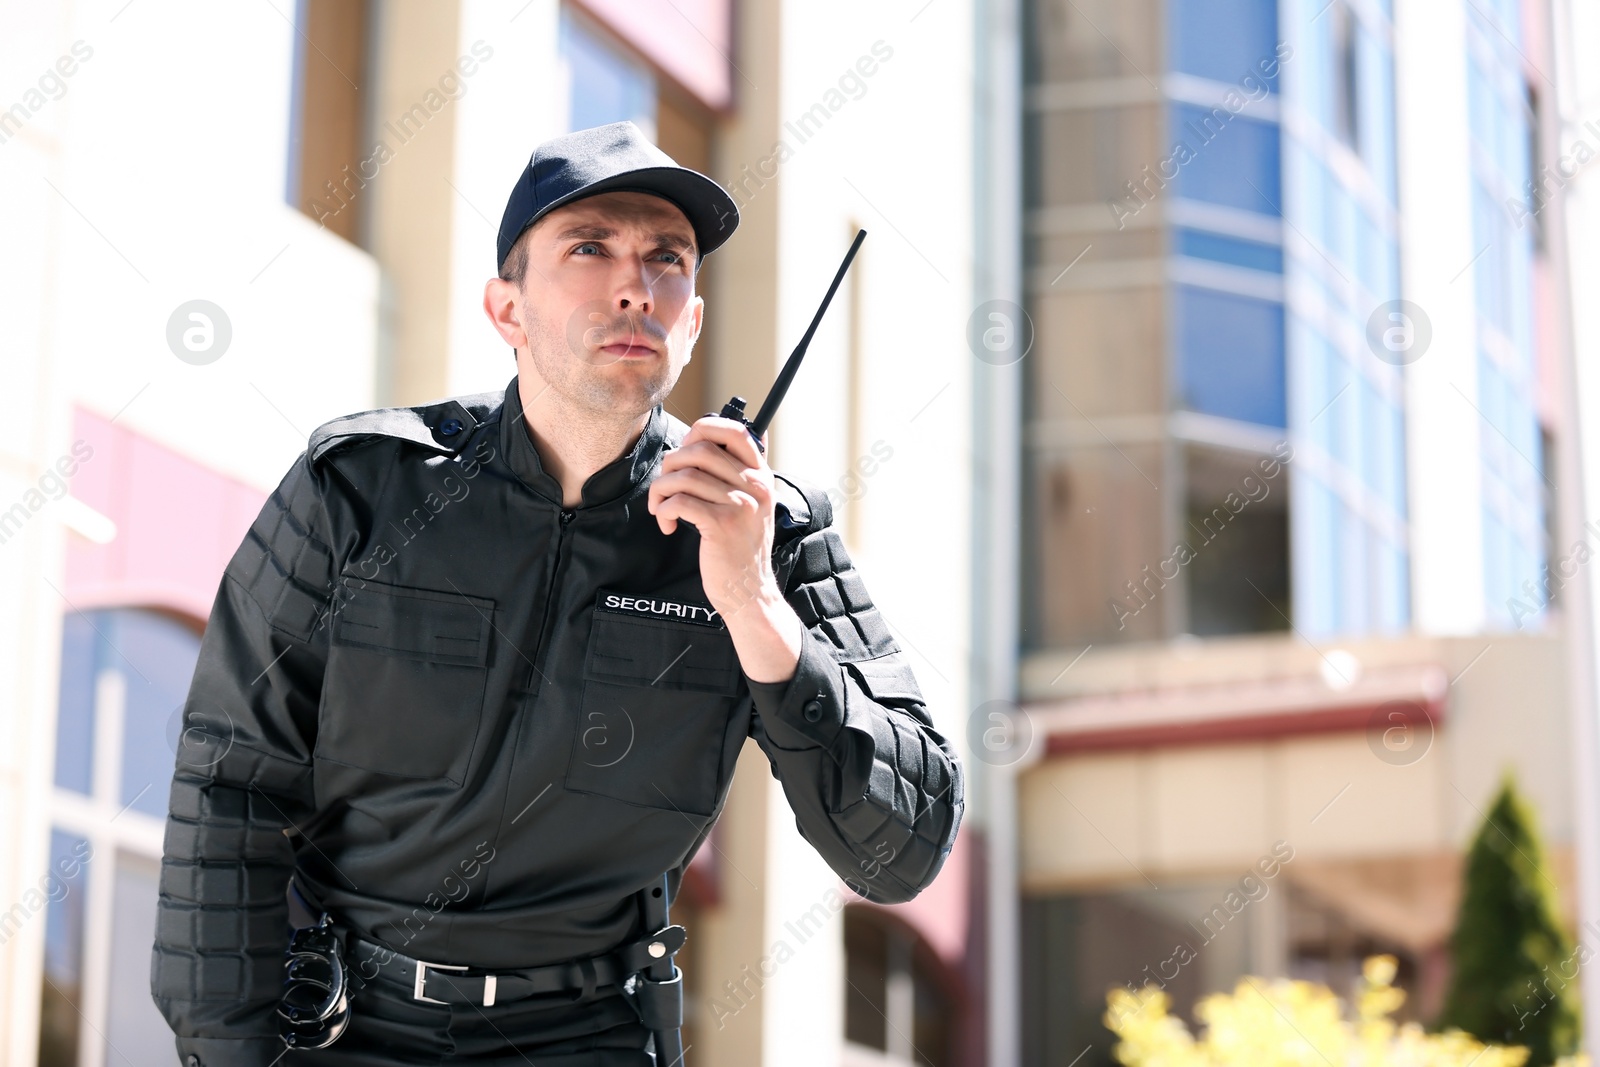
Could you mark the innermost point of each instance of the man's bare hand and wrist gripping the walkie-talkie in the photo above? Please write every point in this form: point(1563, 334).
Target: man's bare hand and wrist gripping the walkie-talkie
point(719, 482)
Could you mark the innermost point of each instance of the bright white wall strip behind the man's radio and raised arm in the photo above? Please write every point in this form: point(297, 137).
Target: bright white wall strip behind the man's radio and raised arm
point(897, 162)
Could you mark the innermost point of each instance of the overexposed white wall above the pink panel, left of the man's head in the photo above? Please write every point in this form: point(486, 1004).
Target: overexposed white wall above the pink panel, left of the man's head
point(178, 156)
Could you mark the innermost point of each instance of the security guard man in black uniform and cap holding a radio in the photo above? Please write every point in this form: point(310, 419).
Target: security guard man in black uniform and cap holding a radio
point(479, 674)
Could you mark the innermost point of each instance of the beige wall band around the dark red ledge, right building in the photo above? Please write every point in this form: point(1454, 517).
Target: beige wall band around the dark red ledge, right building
point(1106, 817)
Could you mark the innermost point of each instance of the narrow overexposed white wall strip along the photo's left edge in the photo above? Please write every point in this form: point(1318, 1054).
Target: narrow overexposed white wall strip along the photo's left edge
point(38, 394)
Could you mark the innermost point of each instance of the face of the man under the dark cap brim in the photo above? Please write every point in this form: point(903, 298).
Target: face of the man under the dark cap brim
point(609, 302)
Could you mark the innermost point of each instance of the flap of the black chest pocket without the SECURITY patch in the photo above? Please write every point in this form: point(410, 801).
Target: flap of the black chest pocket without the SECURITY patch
point(417, 623)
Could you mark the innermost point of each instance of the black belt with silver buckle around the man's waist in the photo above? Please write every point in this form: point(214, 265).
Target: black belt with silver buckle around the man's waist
point(458, 985)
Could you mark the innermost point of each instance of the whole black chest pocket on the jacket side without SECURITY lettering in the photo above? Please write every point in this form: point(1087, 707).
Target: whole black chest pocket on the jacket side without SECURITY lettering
point(404, 693)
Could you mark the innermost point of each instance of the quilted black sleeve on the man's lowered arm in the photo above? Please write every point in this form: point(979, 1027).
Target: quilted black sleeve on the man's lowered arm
point(242, 783)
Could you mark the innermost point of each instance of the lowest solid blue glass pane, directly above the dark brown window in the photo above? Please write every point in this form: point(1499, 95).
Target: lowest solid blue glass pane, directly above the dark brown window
point(1231, 356)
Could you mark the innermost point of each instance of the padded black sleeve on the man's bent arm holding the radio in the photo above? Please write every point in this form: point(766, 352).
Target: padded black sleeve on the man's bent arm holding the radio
point(876, 789)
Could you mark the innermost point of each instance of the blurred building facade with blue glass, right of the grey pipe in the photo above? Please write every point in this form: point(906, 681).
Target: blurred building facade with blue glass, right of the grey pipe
point(1286, 617)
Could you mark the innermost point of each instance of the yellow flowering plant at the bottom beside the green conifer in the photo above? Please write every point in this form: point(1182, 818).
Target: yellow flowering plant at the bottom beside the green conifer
point(1279, 1023)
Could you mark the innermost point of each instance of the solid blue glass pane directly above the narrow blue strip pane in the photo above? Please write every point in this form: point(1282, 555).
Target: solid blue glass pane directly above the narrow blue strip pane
point(1236, 161)
